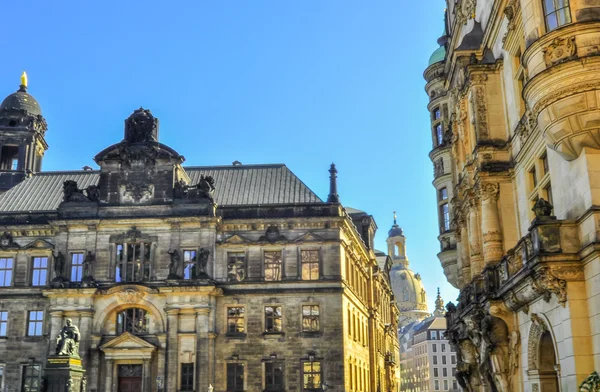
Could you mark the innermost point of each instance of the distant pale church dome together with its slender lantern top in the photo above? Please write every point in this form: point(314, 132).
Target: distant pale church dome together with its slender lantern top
point(410, 294)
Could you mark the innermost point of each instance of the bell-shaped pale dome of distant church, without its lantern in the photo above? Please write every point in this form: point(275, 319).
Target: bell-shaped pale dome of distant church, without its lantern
point(408, 289)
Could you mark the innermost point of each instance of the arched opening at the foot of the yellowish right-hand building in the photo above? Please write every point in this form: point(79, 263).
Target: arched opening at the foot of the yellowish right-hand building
point(542, 359)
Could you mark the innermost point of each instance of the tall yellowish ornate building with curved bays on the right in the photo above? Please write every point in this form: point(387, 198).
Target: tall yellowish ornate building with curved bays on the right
point(513, 100)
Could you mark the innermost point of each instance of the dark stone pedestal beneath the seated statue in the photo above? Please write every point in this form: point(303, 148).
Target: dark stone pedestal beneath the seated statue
point(64, 374)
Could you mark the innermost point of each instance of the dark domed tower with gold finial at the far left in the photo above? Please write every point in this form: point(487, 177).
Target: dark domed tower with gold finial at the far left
point(22, 143)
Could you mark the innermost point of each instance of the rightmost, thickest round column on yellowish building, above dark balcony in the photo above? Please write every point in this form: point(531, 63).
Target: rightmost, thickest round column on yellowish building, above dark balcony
point(490, 224)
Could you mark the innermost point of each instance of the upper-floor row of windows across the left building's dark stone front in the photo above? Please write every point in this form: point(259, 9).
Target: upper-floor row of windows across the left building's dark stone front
point(133, 265)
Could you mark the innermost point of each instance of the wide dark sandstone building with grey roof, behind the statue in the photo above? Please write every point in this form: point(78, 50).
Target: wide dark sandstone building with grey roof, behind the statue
point(224, 278)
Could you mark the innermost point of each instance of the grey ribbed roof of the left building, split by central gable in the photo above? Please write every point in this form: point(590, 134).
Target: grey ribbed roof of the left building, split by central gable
point(235, 185)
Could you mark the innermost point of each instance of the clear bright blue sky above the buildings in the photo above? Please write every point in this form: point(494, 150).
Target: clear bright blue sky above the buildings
point(300, 82)
